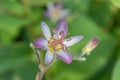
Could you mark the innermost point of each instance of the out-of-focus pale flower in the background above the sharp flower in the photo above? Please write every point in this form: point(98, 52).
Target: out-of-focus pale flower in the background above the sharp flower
point(56, 12)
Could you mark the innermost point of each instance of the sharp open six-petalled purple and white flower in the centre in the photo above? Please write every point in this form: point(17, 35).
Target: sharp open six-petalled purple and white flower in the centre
point(56, 45)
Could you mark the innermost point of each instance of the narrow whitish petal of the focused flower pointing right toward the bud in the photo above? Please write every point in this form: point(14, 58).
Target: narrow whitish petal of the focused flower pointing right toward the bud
point(73, 40)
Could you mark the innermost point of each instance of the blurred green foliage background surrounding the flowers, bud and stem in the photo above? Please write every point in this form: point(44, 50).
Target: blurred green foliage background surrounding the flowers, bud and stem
point(20, 25)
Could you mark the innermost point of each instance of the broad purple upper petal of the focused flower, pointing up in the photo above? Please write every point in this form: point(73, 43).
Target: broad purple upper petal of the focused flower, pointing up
point(61, 29)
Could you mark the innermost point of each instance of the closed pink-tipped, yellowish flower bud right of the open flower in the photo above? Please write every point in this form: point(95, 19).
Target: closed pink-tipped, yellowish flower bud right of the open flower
point(90, 46)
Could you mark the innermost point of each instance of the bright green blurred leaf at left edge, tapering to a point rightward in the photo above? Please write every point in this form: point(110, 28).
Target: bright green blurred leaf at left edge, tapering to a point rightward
point(10, 27)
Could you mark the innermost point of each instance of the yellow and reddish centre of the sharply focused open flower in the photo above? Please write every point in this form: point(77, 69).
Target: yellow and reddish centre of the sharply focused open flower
point(55, 45)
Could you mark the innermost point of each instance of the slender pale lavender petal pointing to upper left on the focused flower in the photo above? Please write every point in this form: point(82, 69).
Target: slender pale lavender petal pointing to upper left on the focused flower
point(46, 30)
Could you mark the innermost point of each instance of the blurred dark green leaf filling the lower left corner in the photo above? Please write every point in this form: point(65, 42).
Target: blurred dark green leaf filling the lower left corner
point(17, 59)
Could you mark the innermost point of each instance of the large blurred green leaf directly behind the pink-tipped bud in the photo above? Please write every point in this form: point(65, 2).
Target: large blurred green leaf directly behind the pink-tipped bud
point(99, 57)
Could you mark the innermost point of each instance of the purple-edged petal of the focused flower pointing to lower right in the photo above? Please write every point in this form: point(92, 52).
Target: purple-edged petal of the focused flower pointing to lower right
point(64, 56)
